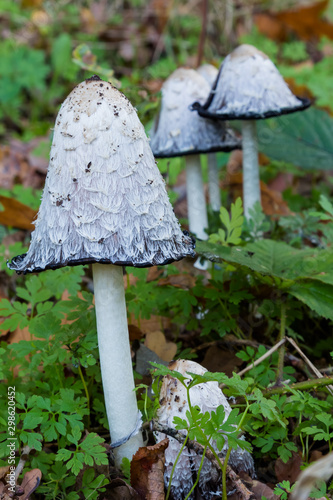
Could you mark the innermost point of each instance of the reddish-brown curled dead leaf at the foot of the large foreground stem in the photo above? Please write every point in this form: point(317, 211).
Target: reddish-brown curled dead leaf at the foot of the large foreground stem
point(147, 471)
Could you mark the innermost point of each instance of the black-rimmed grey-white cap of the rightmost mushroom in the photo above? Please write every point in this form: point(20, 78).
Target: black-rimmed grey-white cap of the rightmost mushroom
point(249, 87)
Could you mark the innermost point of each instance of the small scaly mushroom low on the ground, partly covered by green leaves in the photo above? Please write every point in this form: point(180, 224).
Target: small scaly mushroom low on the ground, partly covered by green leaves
point(173, 400)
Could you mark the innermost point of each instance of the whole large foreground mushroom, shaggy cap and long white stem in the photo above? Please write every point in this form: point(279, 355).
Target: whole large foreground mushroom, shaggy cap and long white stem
point(105, 202)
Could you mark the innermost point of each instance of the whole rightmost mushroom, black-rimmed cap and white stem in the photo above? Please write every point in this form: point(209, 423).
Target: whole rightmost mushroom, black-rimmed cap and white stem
point(249, 87)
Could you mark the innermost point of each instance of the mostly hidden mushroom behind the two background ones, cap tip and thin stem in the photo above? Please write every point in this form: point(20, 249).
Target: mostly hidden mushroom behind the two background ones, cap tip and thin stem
point(209, 72)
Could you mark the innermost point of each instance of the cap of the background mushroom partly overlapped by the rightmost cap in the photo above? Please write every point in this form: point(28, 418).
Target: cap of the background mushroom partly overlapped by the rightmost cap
point(177, 130)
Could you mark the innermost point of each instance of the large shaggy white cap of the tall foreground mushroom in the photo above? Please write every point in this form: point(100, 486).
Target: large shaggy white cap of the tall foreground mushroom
point(104, 198)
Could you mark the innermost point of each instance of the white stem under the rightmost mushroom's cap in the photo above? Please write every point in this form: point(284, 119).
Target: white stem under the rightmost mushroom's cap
point(251, 179)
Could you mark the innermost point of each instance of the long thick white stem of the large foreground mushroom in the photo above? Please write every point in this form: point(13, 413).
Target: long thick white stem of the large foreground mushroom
point(115, 358)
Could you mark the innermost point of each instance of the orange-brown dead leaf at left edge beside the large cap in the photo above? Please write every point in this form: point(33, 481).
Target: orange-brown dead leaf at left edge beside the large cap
point(16, 214)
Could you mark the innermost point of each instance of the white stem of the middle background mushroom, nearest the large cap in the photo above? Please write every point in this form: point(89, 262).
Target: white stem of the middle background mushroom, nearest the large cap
point(196, 202)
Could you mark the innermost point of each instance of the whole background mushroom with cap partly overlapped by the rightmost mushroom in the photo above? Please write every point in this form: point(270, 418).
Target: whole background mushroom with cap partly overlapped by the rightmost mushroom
point(179, 132)
